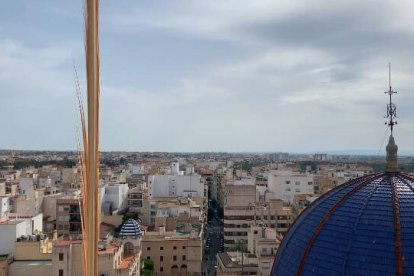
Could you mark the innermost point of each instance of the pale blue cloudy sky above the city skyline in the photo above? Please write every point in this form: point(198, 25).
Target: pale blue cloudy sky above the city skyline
point(249, 76)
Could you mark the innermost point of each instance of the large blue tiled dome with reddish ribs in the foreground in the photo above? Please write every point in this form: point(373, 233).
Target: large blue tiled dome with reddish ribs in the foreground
point(363, 227)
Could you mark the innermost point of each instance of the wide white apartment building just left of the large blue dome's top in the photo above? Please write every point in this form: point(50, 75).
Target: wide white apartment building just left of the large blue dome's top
point(285, 184)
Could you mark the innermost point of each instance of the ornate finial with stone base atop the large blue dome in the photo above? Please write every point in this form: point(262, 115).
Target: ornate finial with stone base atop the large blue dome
point(392, 148)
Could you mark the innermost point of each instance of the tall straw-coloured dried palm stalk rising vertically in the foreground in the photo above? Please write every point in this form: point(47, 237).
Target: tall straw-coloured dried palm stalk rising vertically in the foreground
point(92, 72)
